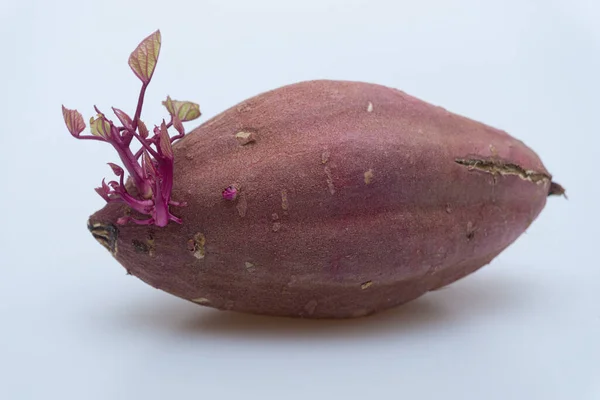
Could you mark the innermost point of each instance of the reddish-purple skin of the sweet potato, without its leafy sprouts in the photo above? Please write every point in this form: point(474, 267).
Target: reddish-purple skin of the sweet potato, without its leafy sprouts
point(351, 201)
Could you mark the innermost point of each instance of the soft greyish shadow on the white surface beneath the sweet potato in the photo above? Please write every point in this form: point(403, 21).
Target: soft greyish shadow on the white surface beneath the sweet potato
point(471, 298)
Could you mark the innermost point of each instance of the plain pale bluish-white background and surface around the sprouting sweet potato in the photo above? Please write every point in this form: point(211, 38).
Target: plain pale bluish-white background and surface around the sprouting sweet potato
point(73, 326)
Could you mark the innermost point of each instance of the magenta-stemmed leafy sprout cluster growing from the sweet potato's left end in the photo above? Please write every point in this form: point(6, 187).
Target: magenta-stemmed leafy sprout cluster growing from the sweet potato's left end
point(151, 167)
